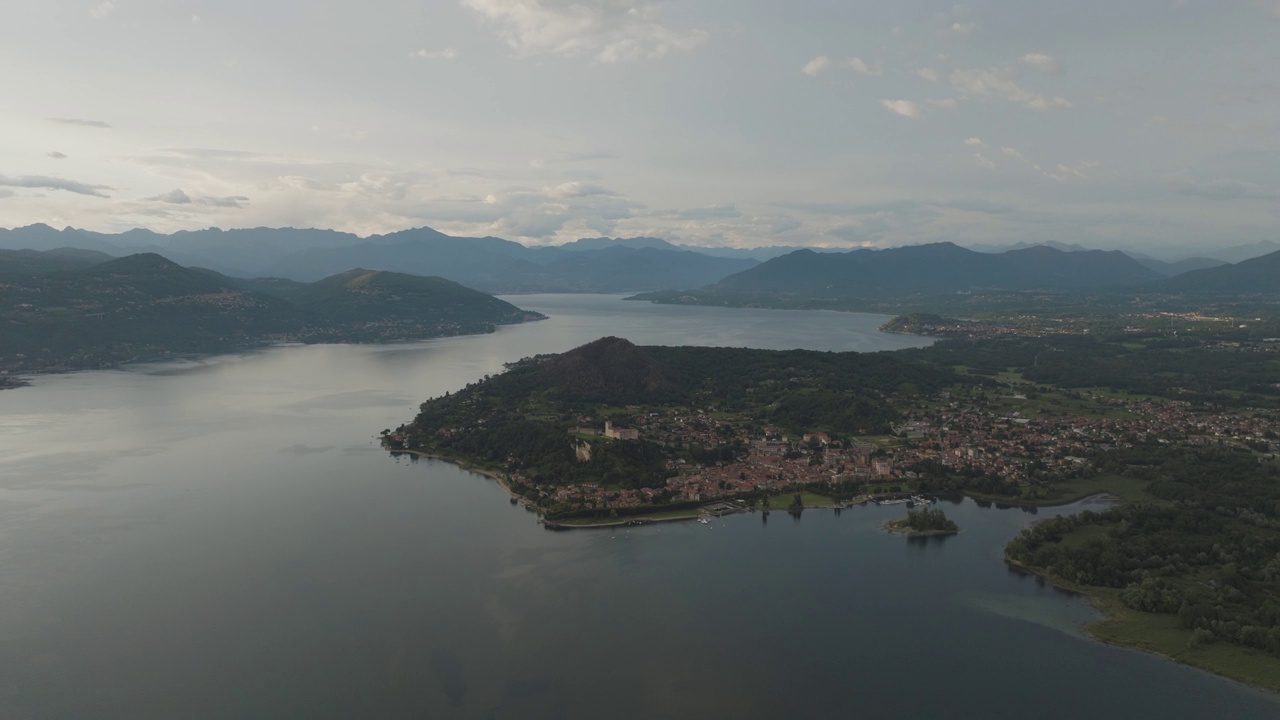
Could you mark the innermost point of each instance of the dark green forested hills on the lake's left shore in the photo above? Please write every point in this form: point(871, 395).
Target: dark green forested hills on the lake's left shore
point(144, 306)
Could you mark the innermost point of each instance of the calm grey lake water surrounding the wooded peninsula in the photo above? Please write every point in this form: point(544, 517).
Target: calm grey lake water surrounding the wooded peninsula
point(225, 539)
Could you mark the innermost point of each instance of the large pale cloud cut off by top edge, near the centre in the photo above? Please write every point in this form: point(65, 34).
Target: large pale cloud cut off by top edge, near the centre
point(609, 31)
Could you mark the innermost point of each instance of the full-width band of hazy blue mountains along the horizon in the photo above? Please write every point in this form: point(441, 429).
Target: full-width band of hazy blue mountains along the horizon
point(607, 265)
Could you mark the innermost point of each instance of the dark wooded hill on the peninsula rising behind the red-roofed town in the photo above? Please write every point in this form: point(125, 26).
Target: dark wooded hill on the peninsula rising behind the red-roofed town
point(527, 417)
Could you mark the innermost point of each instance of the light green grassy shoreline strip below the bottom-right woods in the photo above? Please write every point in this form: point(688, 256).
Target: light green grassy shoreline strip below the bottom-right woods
point(1117, 616)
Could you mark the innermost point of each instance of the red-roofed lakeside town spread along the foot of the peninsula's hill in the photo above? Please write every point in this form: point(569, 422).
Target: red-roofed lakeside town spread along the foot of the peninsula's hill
point(968, 436)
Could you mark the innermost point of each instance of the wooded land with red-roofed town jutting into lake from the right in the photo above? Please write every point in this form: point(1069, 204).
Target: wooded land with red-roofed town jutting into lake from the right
point(1176, 421)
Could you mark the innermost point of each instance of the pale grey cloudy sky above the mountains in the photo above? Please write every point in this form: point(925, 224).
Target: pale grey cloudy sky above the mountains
point(1150, 125)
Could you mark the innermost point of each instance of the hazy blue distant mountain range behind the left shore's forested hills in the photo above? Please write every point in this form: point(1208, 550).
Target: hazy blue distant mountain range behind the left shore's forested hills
point(490, 265)
